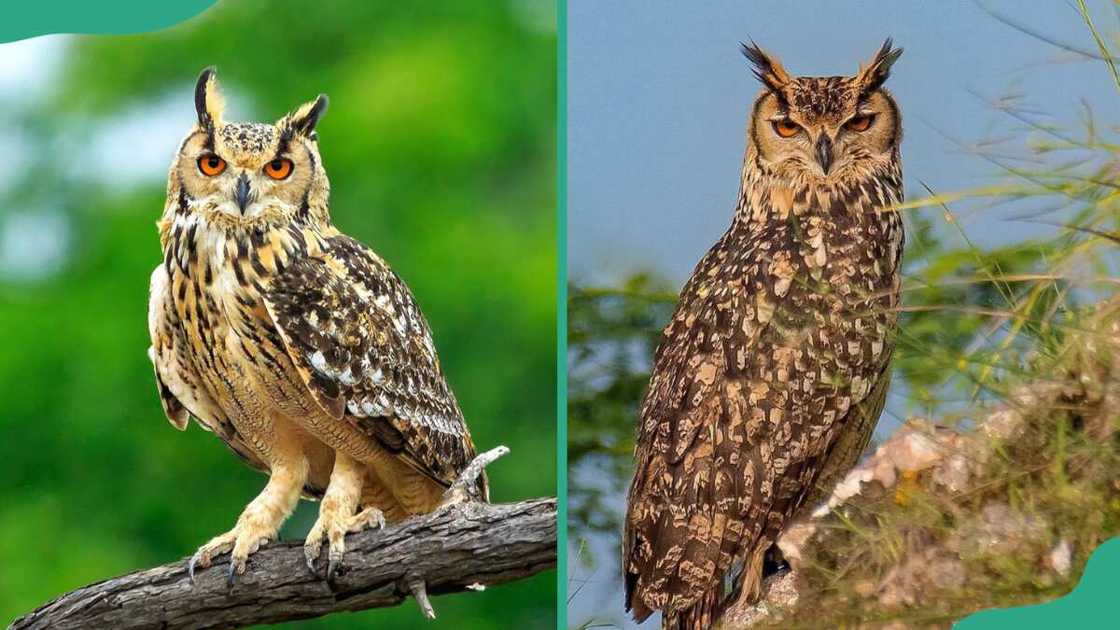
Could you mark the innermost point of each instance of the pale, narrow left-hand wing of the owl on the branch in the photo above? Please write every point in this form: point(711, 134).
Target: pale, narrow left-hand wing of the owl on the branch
point(182, 392)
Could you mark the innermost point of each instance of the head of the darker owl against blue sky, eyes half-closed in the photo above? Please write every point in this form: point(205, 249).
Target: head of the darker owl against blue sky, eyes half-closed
point(825, 128)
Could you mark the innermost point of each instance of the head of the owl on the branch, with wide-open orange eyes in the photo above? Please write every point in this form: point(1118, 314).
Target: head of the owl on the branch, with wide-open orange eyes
point(240, 174)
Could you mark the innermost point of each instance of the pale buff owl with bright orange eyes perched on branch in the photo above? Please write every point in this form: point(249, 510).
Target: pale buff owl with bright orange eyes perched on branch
point(294, 344)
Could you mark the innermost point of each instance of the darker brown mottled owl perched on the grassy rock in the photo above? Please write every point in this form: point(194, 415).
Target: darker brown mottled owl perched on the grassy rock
point(772, 374)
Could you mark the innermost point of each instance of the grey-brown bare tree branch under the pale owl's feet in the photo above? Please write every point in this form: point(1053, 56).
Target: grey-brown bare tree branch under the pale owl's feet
point(462, 548)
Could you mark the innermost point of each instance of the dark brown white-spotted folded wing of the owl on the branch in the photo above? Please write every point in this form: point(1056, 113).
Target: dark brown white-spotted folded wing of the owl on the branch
point(366, 353)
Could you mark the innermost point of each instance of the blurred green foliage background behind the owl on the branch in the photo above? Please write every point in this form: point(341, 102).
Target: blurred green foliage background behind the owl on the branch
point(441, 147)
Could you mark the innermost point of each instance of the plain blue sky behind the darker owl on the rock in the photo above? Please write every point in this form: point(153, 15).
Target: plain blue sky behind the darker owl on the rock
point(658, 98)
